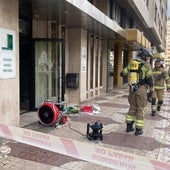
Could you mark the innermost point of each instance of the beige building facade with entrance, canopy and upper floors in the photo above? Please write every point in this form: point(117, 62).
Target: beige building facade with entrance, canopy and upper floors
point(71, 50)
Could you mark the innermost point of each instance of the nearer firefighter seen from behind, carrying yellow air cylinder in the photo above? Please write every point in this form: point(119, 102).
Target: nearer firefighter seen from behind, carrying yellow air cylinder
point(139, 72)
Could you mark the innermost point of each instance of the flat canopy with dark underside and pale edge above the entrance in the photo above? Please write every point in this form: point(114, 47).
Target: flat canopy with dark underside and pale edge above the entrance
point(75, 14)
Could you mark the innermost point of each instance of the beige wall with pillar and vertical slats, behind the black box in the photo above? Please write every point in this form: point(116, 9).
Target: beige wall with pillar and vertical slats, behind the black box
point(78, 51)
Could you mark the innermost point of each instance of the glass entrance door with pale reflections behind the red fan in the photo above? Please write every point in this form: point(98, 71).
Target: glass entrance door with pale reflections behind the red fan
point(49, 71)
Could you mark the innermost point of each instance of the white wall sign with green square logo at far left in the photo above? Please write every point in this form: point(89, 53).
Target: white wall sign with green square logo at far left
point(7, 54)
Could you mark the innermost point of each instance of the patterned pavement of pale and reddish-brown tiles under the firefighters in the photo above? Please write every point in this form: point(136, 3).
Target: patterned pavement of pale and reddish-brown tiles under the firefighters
point(154, 143)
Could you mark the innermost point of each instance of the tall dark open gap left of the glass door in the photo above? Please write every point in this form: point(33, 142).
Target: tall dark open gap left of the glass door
point(25, 51)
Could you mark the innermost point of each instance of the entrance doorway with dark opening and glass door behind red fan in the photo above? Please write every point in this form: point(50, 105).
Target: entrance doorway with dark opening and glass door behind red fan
point(42, 72)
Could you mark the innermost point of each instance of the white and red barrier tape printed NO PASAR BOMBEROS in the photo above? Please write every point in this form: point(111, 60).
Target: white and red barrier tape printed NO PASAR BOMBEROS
point(89, 152)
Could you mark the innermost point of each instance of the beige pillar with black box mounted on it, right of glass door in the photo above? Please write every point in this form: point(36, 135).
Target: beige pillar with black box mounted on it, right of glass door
point(76, 43)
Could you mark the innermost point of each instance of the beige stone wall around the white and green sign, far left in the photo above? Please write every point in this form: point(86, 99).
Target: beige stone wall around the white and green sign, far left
point(9, 88)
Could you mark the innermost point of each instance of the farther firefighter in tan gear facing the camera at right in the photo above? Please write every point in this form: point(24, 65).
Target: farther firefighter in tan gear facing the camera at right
point(161, 81)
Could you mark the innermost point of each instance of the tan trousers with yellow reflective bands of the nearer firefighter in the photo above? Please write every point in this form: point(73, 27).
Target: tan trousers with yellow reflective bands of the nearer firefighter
point(138, 101)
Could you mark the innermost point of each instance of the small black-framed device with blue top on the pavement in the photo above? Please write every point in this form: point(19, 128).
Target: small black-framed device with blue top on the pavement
point(94, 131)
